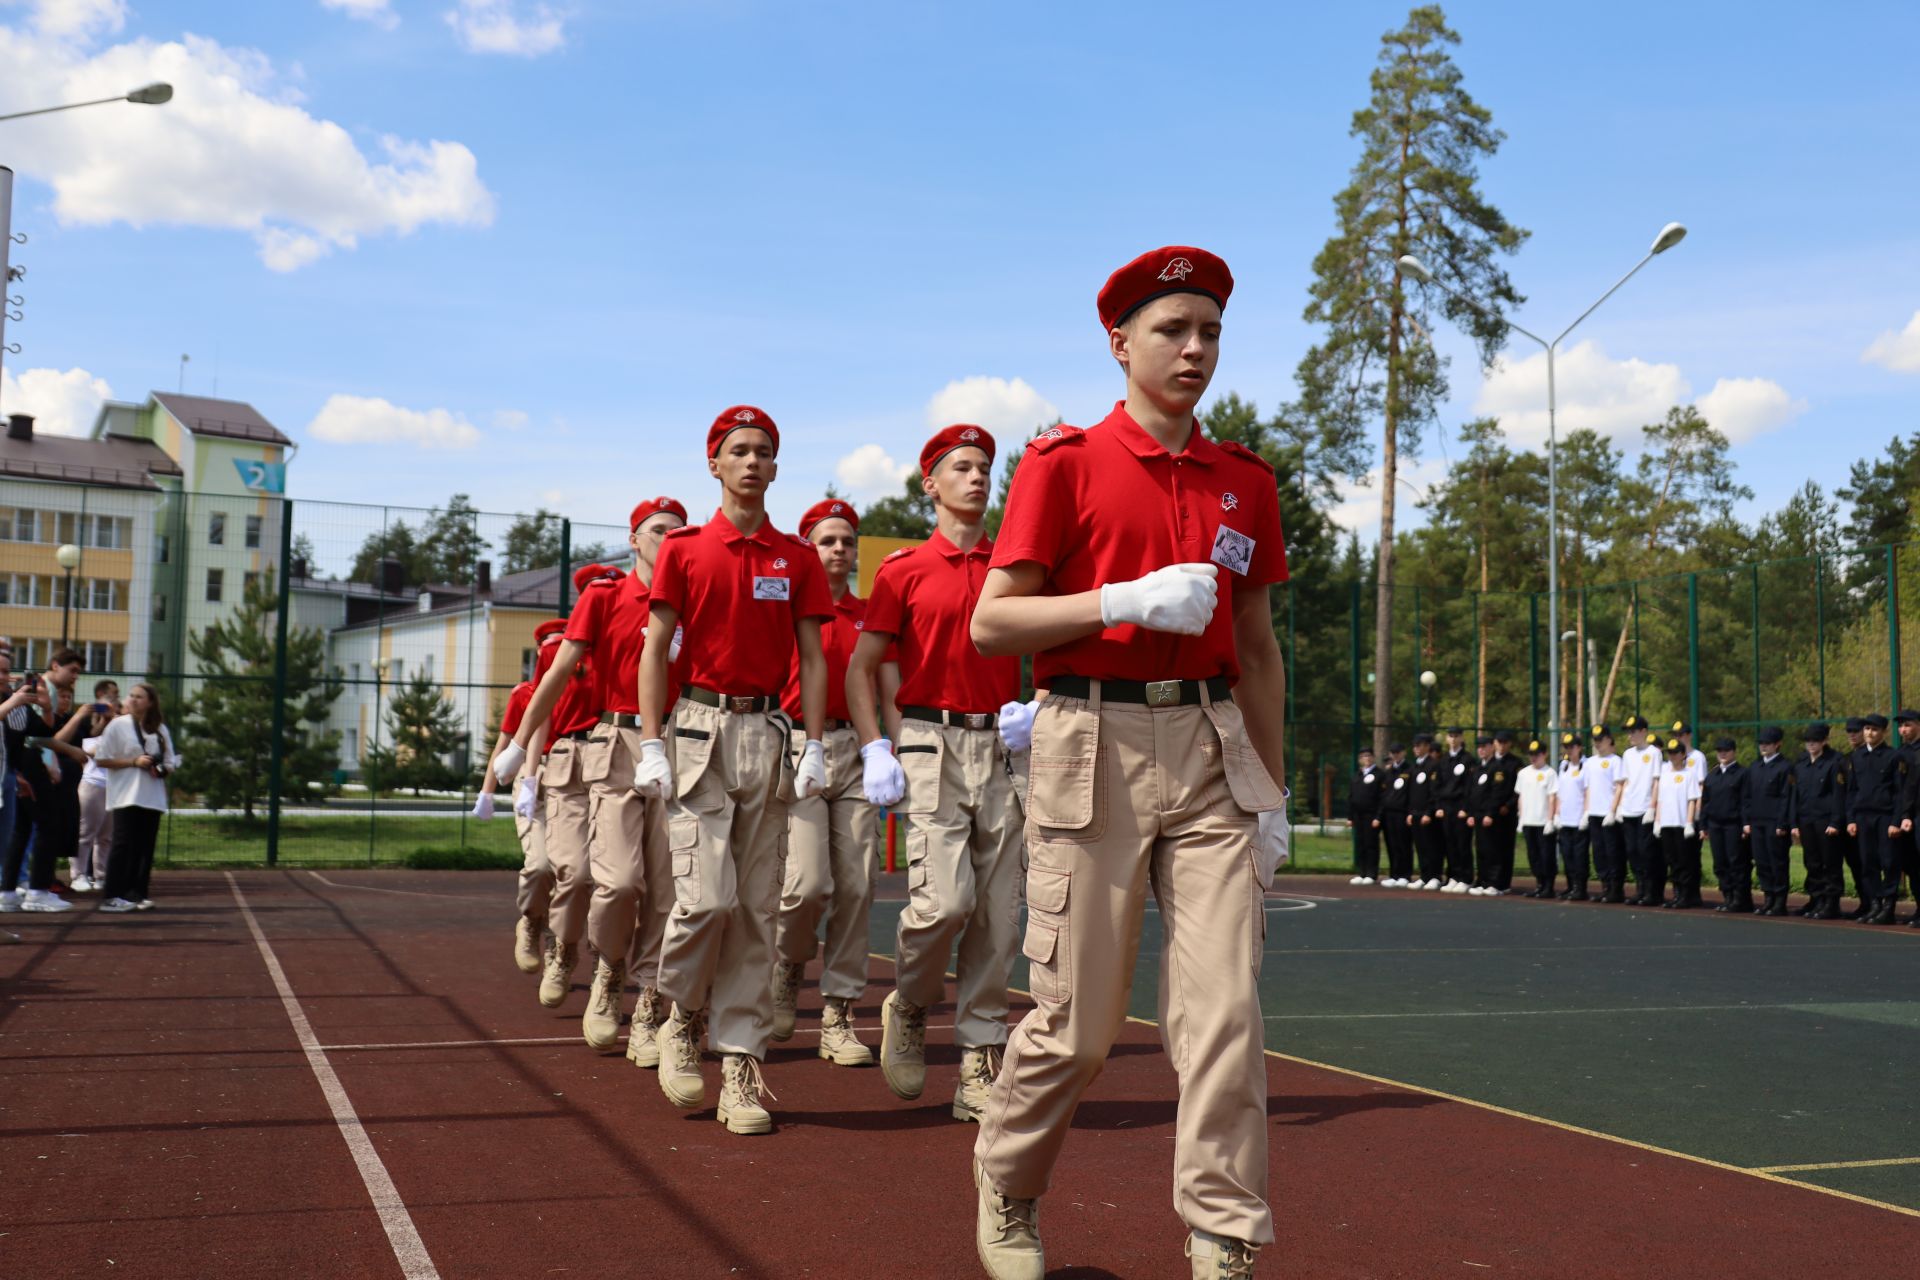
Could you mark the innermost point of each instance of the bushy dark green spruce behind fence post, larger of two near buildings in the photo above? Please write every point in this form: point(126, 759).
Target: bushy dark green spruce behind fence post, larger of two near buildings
point(229, 721)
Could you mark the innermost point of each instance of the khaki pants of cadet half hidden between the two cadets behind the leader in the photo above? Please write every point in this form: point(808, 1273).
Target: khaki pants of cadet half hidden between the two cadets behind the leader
point(830, 872)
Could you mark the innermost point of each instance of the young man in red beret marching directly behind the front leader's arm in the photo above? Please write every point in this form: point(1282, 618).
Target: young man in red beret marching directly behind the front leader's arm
point(963, 820)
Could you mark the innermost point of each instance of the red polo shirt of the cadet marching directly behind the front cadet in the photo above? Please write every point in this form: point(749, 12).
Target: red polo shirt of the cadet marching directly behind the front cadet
point(924, 598)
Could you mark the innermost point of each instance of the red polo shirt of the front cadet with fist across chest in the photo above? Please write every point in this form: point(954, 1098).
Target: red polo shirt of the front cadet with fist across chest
point(1111, 506)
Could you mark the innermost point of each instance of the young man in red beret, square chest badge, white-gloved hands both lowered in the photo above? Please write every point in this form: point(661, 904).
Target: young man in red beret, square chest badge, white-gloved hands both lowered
point(748, 596)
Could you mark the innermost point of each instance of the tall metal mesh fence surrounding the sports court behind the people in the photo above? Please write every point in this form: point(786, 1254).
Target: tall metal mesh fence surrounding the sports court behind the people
point(335, 675)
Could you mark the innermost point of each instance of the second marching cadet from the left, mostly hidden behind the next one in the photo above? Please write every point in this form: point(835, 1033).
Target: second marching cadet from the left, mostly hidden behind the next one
point(554, 730)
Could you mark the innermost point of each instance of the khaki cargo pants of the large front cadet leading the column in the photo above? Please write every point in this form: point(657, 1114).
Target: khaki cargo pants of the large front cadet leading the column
point(1124, 797)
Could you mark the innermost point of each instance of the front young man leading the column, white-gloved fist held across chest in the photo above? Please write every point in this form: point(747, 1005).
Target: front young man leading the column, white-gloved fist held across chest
point(1134, 563)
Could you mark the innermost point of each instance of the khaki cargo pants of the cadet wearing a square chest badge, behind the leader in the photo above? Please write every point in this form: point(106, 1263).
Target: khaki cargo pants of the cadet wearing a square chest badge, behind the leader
point(727, 834)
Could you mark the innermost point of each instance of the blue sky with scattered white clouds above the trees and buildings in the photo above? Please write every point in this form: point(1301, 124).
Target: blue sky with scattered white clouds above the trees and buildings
point(531, 250)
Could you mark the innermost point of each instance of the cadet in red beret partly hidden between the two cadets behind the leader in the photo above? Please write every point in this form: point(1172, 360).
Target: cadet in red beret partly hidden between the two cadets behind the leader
point(830, 838)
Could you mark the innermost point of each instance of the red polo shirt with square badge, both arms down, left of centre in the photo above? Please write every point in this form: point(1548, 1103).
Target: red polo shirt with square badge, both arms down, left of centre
point(740, 600)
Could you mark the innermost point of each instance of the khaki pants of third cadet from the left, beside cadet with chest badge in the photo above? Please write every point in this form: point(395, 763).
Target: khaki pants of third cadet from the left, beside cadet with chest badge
point(627, 851)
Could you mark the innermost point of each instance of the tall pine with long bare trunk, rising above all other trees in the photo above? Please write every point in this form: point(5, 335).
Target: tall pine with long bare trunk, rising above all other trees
point(1414, 191)
